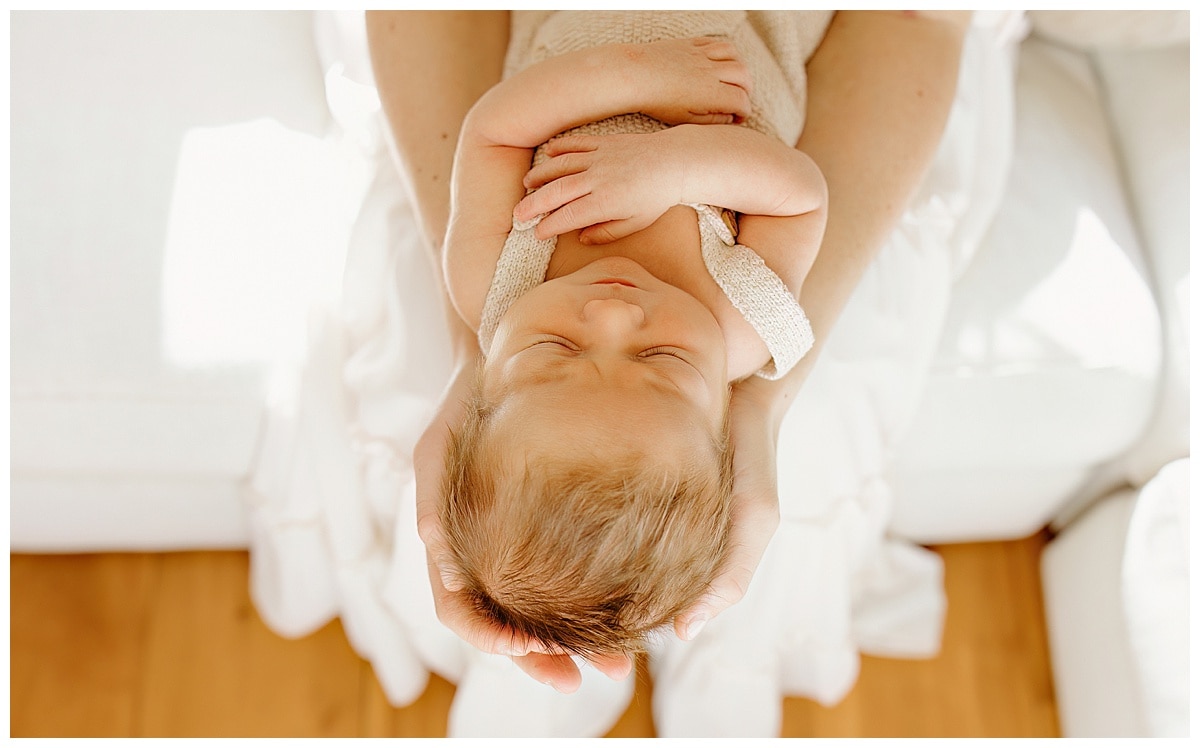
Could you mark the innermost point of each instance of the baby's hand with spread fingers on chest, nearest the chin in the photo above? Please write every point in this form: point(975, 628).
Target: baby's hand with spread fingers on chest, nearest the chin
point(611, 187)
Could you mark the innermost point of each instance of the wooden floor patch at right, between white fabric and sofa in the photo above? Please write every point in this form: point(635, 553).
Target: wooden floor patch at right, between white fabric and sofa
point(992, 678)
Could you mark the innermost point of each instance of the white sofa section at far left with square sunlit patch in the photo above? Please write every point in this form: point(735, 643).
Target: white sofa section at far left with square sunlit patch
point(116, 394)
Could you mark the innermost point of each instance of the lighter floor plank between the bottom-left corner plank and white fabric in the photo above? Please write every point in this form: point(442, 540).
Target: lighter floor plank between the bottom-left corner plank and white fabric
point(214, 669)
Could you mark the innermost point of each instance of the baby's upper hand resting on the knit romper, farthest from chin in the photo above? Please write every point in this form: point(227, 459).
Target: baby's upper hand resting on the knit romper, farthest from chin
point(693, 81)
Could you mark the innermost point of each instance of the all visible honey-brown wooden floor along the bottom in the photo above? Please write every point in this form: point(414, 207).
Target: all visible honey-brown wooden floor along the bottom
point(170, 645)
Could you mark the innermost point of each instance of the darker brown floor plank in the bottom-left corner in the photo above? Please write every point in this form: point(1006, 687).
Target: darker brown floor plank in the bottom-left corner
point(76, 638)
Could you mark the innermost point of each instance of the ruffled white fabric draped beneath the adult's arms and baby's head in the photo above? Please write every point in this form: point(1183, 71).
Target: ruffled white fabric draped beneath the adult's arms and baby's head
point(332, 500)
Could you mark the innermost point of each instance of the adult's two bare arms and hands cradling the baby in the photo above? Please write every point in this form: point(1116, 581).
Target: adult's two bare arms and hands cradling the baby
point(880, 89)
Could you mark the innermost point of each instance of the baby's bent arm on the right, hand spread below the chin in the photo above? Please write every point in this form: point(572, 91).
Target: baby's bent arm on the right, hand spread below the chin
point(611, 187)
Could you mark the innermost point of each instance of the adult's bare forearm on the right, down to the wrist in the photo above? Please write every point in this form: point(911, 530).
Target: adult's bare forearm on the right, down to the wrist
point(880, 92)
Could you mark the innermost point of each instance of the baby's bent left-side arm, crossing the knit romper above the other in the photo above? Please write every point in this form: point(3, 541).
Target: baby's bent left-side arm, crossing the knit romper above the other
point(675, 81)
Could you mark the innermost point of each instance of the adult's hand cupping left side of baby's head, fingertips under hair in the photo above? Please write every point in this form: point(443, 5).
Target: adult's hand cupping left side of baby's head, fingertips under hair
point(454, 608)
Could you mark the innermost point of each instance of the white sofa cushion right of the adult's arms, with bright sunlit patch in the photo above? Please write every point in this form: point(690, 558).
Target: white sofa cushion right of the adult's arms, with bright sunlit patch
point(1051, 357)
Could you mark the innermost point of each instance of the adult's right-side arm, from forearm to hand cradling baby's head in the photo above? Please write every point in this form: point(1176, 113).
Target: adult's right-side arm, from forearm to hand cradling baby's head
point(880, 91)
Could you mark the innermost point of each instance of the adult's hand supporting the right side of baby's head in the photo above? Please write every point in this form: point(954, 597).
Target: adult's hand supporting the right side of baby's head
point(755, 513)
